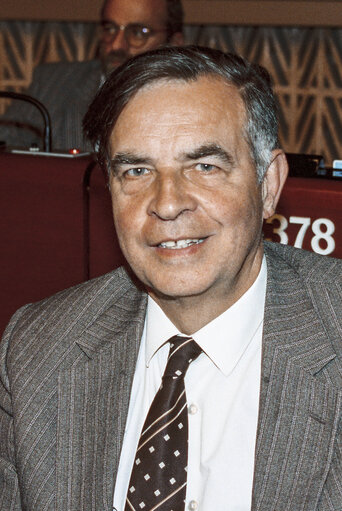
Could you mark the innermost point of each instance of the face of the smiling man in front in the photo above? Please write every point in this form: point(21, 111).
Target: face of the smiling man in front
point(187, 205)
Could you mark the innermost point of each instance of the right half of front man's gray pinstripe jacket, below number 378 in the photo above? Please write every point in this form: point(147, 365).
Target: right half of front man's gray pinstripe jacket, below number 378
point(298, 464)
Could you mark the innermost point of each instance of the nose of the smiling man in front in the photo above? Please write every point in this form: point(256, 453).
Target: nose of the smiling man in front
point(171, 198)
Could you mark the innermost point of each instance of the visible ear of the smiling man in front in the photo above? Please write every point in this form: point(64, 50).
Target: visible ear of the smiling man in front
point(273, 182)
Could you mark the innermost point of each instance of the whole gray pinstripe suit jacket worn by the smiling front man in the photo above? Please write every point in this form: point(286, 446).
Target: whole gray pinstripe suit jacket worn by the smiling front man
point(66, 370)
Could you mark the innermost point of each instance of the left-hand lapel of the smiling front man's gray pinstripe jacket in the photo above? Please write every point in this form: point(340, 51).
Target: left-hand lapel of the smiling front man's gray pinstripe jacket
point(93, 404)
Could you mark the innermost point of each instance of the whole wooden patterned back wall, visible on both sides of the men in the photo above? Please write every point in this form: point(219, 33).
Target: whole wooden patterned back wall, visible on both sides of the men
point(305, 64)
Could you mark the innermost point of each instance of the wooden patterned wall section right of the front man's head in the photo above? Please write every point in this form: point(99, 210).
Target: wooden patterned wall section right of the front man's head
point(306, 67)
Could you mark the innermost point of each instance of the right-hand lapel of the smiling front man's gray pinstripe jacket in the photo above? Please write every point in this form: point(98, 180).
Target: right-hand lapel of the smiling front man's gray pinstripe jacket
point(299, 411)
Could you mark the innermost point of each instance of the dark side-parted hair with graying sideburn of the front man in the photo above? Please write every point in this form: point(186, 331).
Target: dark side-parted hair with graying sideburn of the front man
point(187, 64)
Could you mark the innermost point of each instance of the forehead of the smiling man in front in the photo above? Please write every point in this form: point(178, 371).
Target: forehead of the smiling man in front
point(177, 113)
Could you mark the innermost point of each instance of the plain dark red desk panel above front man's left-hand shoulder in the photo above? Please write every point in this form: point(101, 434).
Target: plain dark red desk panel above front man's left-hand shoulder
point(41, 228)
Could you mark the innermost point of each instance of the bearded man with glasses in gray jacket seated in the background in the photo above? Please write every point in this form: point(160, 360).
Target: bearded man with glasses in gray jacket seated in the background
point(127, 27)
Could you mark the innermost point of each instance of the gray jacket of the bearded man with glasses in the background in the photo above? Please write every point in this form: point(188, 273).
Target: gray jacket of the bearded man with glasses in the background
point(66, 89)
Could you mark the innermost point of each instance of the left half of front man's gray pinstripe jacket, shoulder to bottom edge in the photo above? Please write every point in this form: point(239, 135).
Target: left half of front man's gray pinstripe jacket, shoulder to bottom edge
point(66, 368)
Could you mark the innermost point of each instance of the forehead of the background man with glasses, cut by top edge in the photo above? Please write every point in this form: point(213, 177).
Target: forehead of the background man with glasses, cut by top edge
point(135, 11)
